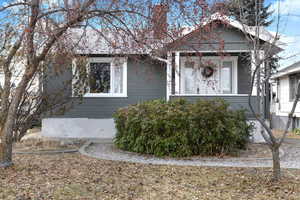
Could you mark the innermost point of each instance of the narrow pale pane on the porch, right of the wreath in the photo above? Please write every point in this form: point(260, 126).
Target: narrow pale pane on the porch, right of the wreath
point(226, 79)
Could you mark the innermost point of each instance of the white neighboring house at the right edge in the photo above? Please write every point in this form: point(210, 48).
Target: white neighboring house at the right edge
point(284, 86)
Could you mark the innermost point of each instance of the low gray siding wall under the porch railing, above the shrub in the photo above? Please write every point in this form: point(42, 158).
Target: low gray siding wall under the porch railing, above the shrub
point(236, 102)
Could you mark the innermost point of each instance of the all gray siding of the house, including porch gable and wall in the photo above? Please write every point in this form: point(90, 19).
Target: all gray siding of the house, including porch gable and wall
point(146, 80)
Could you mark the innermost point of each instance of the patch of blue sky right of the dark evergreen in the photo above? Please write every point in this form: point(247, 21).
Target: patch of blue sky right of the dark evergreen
point(289, 28)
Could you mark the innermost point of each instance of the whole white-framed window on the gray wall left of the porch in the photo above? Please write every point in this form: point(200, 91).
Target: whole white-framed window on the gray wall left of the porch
point(107, 77)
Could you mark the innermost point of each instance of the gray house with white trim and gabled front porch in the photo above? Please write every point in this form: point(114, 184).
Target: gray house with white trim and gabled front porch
point(116, 81)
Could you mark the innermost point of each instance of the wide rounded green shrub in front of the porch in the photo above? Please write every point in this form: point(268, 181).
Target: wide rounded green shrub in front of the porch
point(179, 128)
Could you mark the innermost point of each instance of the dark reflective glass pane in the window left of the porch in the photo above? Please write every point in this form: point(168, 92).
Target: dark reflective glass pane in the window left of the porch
point(100, 77)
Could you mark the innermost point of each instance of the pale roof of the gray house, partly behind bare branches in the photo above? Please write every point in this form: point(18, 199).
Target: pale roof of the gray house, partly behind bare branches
point(91, 41)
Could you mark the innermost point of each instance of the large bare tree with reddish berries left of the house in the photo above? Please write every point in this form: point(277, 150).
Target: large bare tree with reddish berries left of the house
point(36, 31)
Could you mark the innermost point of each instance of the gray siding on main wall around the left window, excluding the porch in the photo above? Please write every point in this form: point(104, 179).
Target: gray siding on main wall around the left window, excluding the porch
point(146, 80)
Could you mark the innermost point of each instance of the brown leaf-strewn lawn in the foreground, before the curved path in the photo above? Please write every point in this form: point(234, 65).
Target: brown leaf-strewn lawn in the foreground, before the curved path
point(73, 176)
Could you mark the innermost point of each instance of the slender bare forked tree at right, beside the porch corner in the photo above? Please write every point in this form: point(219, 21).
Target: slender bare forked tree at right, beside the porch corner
point(262, 55)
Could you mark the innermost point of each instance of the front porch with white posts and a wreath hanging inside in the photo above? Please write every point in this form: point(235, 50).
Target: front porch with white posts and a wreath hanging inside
point(208, 75)
